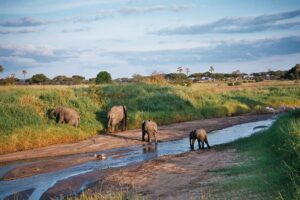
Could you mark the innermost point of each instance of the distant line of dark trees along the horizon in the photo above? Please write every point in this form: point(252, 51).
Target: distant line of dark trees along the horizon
point(181, 77)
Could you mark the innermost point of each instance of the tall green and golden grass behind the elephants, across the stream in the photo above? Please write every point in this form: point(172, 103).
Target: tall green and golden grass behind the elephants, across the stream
point(23, 110)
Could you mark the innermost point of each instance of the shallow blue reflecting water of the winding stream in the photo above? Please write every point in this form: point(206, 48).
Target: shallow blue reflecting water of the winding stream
point(121, 157)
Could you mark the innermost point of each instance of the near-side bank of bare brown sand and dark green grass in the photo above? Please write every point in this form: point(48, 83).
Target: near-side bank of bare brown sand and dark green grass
point(263, 166)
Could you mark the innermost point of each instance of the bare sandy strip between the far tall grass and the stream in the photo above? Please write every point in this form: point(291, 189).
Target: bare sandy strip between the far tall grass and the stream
point(129, 138)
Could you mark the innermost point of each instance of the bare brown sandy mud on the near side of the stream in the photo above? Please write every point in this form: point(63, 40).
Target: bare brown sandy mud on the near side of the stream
point(161, 178)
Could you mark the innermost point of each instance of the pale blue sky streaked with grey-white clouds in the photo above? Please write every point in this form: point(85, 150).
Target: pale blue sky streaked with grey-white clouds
point(126, 37)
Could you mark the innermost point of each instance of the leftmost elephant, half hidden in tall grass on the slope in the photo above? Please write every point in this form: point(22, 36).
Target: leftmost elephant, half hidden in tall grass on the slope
point(66, 115)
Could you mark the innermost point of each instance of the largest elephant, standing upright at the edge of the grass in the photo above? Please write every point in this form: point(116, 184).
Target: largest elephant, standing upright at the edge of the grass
point(116, 115)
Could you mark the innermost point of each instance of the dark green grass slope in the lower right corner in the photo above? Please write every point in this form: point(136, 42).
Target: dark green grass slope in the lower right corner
point(271, 163)
